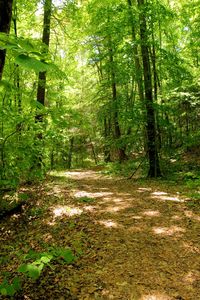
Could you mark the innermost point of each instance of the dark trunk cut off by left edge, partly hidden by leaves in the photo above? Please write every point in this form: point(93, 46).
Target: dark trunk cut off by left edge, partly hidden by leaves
point(5, 21)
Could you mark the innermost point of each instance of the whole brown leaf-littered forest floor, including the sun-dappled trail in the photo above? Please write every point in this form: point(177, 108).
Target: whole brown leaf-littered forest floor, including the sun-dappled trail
point(132, 239)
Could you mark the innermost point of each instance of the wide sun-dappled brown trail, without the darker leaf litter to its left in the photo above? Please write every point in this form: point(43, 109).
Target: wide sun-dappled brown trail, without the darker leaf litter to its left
point(141, 241)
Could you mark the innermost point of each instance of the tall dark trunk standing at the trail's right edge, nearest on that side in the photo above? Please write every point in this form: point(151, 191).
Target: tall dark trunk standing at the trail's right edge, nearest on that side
point(154, 167)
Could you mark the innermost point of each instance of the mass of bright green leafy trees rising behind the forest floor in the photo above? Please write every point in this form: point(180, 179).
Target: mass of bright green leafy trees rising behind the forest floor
point(87, 82)
